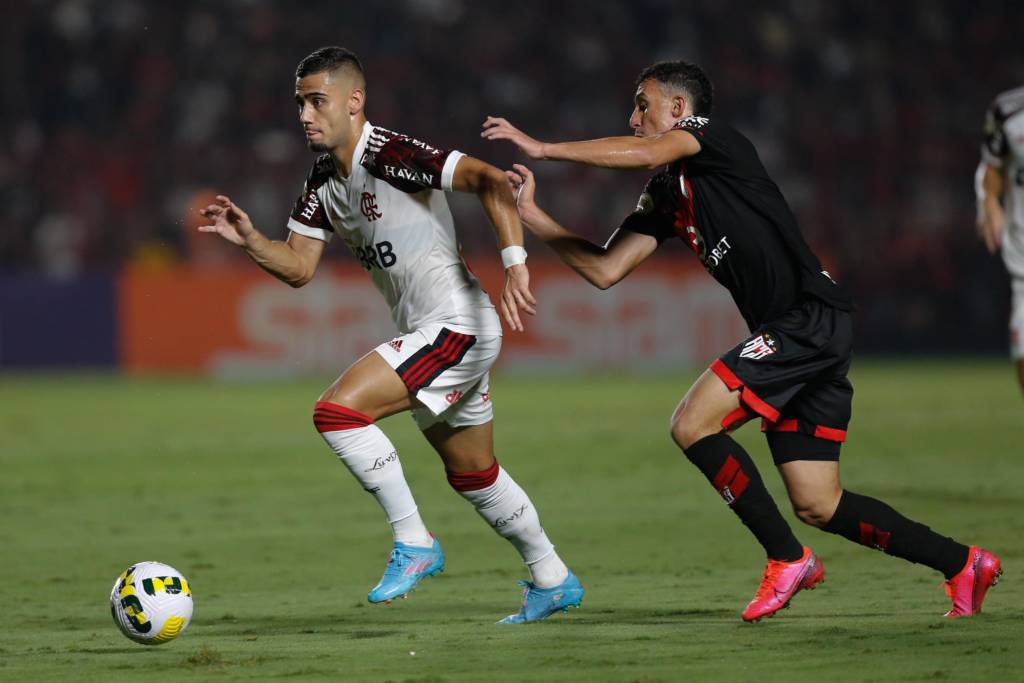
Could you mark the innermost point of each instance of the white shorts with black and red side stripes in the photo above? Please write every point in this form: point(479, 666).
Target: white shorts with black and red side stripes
point(447, 371)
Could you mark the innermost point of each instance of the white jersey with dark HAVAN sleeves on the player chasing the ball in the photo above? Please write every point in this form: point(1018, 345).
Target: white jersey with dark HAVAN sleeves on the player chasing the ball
point(391, 215)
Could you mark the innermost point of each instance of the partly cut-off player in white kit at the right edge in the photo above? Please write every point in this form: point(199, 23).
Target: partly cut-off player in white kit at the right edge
point(1000, 187)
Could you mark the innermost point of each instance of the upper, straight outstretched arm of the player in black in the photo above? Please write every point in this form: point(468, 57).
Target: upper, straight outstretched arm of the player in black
point(622, 152)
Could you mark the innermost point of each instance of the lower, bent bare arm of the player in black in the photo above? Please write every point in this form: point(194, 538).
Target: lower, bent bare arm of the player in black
point(602, 267)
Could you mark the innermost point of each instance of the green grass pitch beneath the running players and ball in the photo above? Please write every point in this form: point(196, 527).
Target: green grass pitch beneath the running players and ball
point(231, 485)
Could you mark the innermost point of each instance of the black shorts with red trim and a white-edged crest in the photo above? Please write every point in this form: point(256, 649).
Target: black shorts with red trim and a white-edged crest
point(793, 373)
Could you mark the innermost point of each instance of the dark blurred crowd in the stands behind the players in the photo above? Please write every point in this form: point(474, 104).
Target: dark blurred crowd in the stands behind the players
point(120, 118)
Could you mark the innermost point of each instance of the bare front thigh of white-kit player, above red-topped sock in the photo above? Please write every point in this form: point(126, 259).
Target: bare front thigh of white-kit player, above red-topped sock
point(370, 387)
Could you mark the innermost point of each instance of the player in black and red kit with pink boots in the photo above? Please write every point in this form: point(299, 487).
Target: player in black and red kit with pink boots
point(713, 192)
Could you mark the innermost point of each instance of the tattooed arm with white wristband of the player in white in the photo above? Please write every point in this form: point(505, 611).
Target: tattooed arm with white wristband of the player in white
point(489, 184)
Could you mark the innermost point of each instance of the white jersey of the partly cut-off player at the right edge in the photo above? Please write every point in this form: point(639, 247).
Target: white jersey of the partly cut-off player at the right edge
point(1004, 149)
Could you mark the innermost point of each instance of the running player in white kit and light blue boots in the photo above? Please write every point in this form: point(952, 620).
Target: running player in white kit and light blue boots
point(376, 190)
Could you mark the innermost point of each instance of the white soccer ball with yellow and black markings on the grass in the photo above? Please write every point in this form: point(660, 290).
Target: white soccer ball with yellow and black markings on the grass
point(152, 604)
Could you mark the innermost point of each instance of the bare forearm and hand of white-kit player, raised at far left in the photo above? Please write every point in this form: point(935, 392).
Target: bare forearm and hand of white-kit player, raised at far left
point(293, 262)
